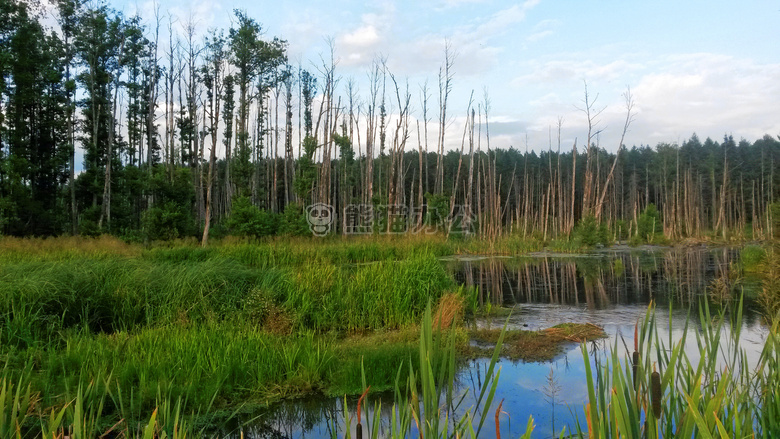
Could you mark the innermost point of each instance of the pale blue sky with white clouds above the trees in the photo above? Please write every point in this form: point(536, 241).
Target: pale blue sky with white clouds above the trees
point(709, 67)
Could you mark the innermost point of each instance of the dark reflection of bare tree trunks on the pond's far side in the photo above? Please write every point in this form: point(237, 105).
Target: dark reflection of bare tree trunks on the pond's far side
point(678, 276)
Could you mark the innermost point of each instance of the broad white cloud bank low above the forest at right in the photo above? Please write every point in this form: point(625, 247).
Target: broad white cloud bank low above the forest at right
point(676, 95)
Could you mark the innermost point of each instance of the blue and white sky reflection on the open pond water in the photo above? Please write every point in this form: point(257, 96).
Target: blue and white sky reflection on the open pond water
point(523, 384)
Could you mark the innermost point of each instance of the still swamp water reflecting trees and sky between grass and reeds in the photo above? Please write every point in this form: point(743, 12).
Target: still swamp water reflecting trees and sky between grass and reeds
point(610, 288)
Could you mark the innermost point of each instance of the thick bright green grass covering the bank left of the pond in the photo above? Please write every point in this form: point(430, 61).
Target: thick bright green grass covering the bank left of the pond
point(210, 327)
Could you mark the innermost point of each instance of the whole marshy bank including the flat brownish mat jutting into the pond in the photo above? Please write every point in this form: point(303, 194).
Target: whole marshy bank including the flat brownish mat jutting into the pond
point(122, 330)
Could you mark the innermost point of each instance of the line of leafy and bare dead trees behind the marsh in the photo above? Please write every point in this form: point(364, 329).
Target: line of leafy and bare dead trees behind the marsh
point(220, 133)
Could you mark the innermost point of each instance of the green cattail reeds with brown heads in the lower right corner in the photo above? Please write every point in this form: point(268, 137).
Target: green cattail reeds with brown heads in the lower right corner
point(719, 395)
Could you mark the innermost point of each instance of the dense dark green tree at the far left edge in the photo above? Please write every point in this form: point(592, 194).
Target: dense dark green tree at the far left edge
point(33, 127)
